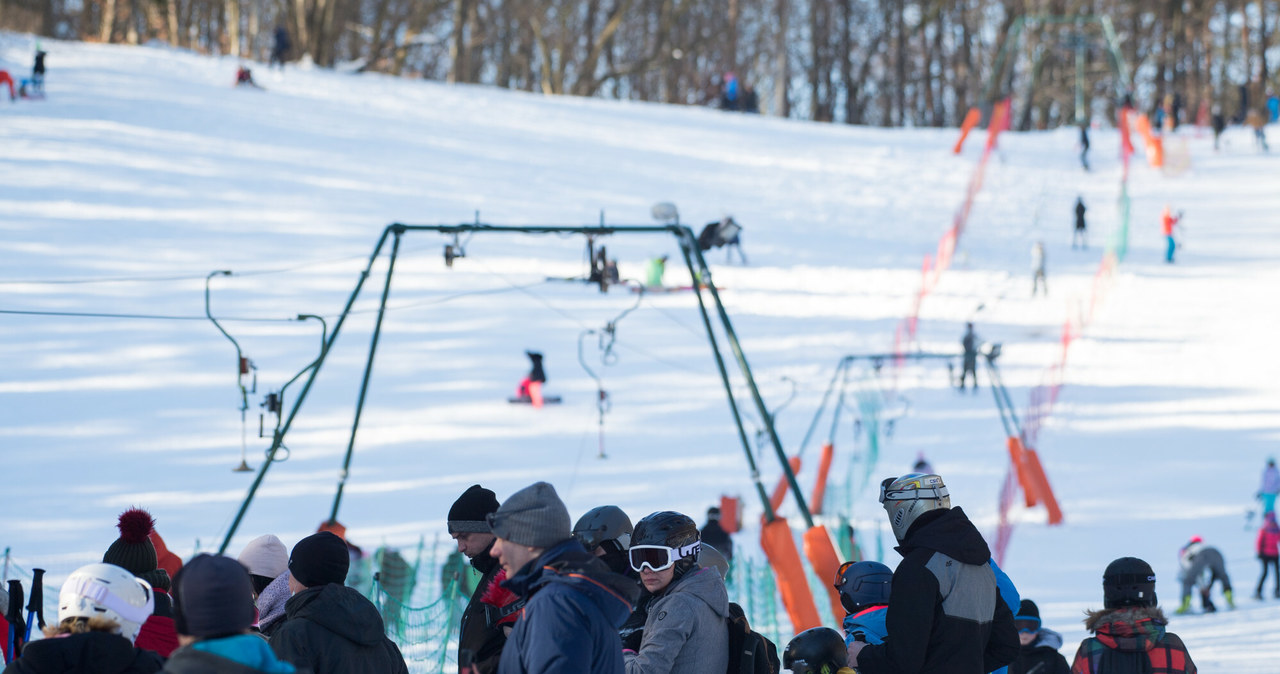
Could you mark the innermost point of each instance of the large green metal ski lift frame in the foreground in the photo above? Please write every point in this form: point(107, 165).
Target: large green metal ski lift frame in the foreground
point(702, 281)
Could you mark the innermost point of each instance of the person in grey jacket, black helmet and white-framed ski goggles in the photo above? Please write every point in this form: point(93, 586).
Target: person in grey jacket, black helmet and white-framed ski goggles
point(685, 631)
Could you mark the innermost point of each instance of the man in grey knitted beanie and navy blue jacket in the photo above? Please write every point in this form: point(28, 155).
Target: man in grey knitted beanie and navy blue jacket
point(574, 604)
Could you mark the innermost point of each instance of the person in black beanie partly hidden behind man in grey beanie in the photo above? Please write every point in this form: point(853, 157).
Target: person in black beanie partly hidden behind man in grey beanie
point(481, 634)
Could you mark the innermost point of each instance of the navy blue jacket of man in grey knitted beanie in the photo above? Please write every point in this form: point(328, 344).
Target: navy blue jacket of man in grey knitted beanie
point(574, 607)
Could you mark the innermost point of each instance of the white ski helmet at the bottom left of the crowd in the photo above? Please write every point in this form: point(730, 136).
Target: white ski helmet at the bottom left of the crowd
point(111, 593)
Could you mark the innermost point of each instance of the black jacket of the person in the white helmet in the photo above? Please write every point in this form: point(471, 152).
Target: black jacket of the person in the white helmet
point(89, 653)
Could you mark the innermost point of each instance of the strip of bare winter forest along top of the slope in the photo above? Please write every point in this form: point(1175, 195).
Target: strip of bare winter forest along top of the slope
point(893, 63)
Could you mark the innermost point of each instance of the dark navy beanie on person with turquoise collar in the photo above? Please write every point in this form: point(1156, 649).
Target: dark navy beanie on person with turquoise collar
point(213, 598)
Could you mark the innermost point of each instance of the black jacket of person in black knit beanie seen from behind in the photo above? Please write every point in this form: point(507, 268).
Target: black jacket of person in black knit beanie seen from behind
point(335, 630)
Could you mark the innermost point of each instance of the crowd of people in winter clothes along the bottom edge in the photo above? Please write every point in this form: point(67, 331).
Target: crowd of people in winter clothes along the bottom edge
point(610, 597)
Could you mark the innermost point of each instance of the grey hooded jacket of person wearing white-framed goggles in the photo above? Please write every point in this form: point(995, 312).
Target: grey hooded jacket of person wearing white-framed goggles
point(687, 630)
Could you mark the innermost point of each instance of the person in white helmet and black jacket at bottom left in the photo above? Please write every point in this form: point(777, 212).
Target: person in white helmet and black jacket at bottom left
point(100, 612)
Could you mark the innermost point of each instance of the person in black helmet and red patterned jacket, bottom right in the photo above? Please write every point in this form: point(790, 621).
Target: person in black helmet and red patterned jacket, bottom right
point(1130, 632)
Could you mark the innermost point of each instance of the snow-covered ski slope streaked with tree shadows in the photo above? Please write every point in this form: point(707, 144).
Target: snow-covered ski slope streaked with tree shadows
point(145, 171)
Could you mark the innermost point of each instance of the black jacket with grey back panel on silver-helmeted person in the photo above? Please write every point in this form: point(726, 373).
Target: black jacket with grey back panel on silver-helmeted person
point(945, 613)
